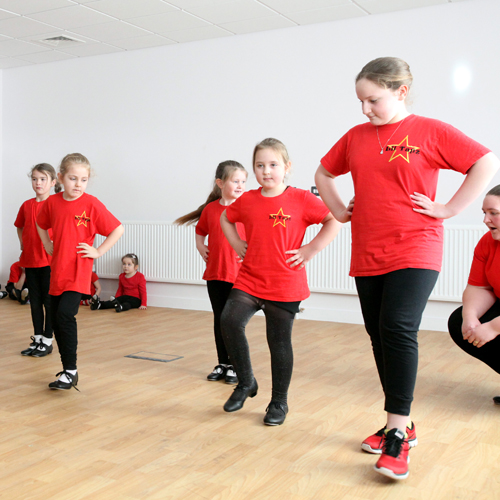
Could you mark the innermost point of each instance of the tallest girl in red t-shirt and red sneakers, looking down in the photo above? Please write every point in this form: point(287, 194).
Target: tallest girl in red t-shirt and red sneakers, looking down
point(397, 233)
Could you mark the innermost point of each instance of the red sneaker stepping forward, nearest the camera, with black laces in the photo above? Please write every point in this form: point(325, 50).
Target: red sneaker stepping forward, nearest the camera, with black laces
point(394, 460)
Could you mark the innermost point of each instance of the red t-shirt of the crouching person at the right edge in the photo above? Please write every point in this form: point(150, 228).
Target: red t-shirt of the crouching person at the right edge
point(485, 269)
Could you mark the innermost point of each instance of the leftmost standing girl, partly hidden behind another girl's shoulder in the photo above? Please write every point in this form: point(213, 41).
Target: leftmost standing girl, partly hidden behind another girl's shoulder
point(35, 259)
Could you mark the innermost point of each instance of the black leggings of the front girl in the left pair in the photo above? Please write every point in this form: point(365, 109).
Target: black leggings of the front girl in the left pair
point(63, 311)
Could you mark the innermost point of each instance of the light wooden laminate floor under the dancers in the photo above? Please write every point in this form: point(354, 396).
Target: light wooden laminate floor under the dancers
point(142, 429)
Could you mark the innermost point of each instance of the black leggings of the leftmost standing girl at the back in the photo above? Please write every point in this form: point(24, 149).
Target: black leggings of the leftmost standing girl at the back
point(39, 280)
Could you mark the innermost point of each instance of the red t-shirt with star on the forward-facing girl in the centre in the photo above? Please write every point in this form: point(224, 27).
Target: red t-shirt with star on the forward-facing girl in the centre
point(273, 226)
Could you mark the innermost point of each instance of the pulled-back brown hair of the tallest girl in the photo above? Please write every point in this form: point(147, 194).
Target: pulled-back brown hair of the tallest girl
point(387, 72)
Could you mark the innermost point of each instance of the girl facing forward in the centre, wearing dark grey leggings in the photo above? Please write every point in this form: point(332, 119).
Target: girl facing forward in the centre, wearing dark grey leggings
point(272, 276)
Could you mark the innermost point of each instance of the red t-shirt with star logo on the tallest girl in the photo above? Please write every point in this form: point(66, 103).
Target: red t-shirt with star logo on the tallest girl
point(387, 234)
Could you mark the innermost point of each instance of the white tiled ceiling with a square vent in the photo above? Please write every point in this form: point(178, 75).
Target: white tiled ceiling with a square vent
point(106, 26)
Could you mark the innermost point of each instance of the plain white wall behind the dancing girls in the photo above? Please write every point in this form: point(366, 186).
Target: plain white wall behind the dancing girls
point(156, 122)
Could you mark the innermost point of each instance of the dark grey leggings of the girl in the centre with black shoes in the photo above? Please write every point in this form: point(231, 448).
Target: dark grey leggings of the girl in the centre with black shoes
point(240, 307)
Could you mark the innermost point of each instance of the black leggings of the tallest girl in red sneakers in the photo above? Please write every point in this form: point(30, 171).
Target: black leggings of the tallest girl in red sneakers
point(392, 306)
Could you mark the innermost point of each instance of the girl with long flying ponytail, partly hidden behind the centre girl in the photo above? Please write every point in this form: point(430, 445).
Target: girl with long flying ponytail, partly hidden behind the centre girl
point(222, 261)
